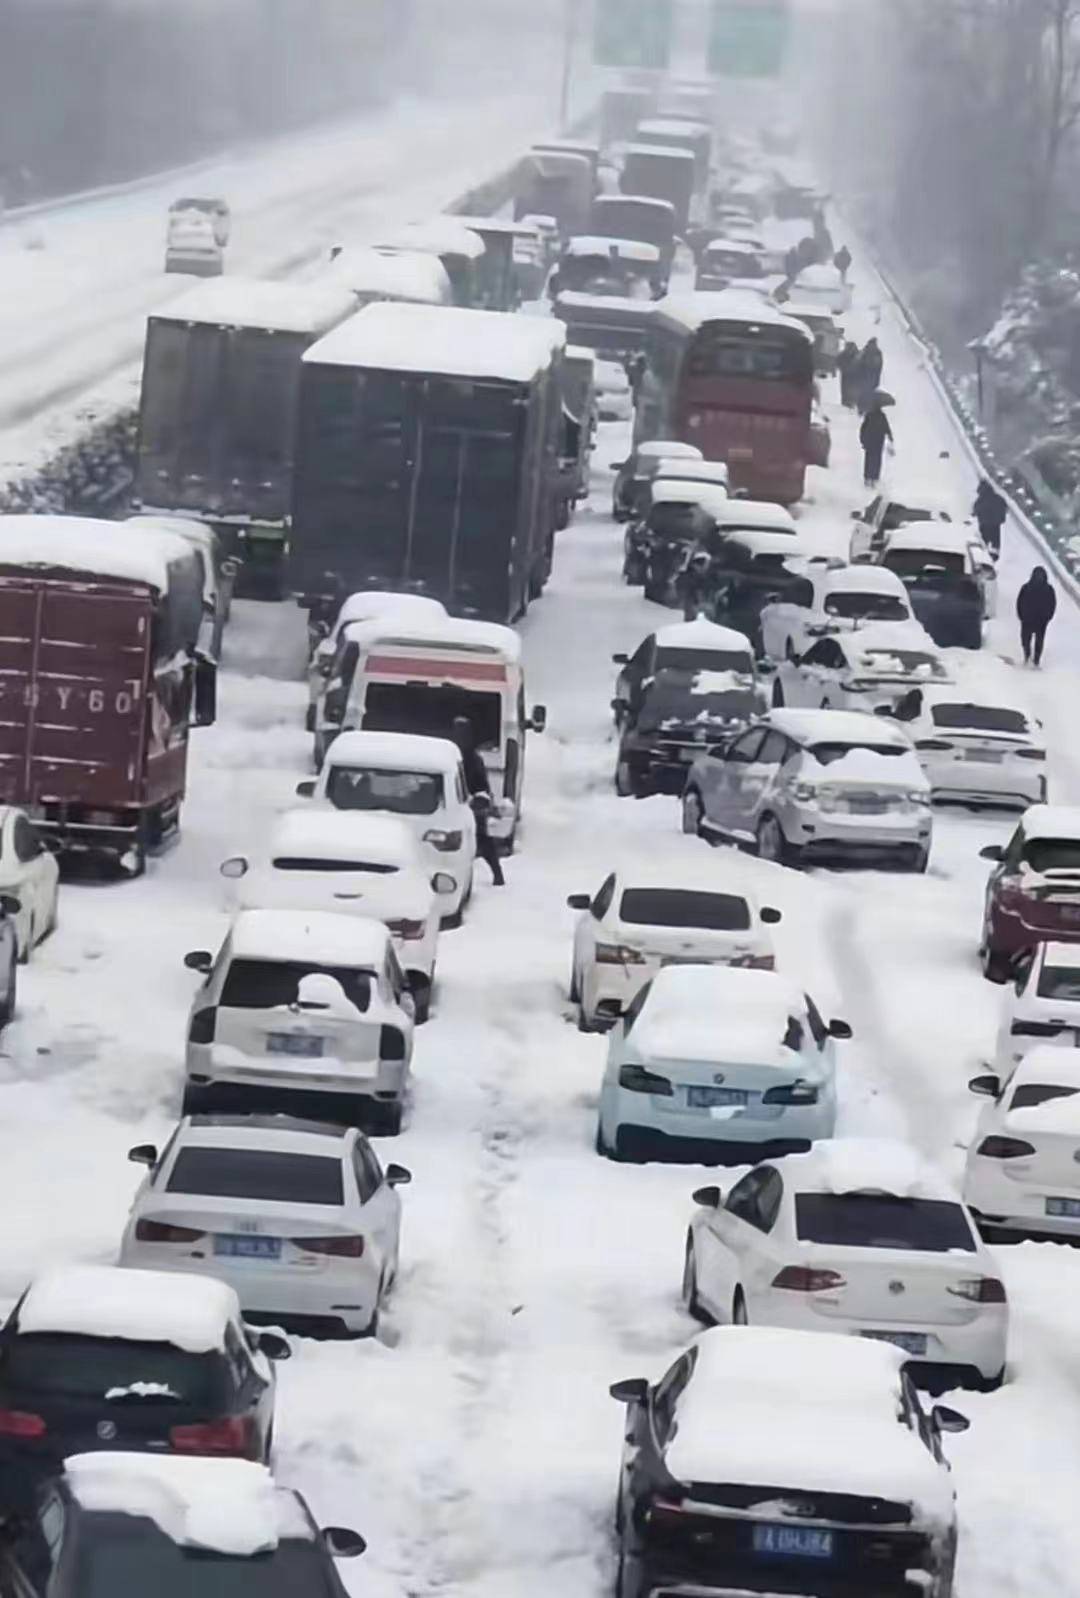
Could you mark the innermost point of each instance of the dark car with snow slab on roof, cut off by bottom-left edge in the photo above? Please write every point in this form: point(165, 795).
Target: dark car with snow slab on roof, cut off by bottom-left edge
point(170, 1525)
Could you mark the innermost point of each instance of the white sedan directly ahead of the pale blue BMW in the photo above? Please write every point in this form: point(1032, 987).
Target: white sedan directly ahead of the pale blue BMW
point(651, 916)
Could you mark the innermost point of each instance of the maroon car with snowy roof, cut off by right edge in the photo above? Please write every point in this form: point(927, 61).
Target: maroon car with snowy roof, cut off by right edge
point(1034, 894)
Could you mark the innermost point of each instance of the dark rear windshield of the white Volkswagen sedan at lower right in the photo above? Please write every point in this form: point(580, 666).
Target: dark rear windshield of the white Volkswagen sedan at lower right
point(883, 1222)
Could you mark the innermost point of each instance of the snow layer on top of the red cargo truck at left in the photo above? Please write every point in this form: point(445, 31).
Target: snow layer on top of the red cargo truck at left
point(105, 549)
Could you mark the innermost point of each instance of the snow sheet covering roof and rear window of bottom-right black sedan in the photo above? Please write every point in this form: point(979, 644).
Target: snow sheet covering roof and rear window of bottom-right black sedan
point(803, 1410)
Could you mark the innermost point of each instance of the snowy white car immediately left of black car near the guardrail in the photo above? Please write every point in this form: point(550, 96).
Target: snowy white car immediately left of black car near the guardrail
point(841, 600)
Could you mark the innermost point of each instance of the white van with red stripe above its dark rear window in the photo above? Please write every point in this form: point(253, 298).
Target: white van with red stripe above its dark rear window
point(419, 677)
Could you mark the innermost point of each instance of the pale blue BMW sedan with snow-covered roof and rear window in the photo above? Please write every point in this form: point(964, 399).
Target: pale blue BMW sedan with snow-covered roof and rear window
point(718, 1063)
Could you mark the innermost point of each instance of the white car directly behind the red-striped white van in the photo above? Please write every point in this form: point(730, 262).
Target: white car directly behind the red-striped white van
point(421, 782)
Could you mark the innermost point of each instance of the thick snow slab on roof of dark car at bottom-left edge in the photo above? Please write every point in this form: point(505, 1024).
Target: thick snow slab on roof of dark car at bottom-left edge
point(228, 1506)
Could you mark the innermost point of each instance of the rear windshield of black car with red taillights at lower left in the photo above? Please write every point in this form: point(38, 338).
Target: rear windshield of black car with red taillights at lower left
point(109, 1369)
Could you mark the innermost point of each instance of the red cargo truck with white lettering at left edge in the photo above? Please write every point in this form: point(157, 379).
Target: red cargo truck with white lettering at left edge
point(100, 682)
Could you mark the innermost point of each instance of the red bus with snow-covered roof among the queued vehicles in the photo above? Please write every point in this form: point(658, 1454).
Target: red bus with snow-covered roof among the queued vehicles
point(734, 376)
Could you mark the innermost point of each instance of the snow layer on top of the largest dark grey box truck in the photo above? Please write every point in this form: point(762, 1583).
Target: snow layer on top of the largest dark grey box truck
point(445, 341)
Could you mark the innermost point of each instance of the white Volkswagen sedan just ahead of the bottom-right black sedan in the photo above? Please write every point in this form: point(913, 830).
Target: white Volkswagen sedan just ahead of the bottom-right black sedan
point(859, 1238)
